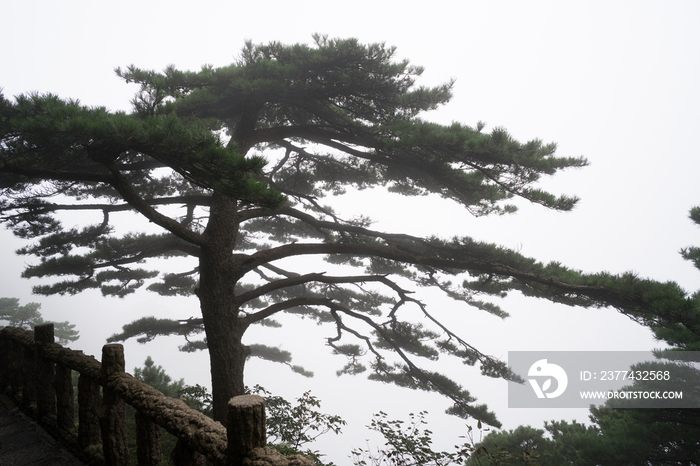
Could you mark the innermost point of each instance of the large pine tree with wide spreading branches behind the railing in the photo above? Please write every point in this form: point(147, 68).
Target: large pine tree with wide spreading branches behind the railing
point(233, 164)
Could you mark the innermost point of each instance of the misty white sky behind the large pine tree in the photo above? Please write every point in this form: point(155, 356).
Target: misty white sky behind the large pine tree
point(616, 82)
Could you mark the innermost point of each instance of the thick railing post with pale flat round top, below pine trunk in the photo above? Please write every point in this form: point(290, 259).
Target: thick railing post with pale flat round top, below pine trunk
point(246, 426)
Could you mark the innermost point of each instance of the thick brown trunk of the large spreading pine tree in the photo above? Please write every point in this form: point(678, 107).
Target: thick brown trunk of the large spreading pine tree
point(224, 330)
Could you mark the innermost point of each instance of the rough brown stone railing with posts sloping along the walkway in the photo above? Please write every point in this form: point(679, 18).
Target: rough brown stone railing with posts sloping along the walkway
point(37, 373)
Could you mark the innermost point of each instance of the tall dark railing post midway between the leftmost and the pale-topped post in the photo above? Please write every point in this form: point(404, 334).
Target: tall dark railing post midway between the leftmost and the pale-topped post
point(113, 409)
